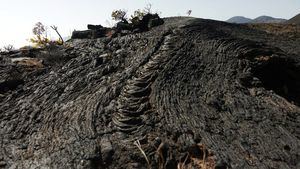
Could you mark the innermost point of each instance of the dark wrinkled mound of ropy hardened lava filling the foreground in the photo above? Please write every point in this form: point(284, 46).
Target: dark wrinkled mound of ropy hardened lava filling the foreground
point(190, 92)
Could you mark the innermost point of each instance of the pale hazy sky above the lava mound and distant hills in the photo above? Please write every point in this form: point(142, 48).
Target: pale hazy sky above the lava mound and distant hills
point(17, 17)
